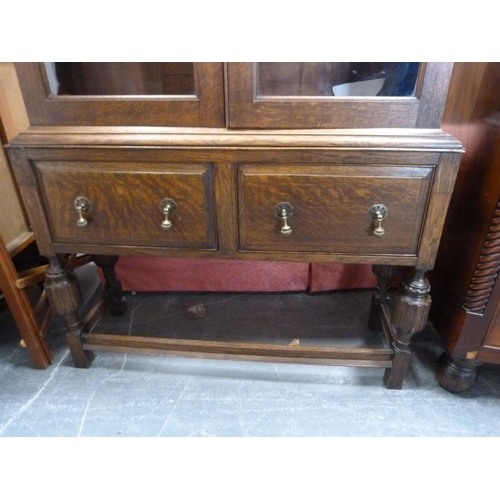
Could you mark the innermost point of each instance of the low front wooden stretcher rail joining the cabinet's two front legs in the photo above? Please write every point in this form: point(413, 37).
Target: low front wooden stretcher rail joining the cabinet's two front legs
point(339, 356)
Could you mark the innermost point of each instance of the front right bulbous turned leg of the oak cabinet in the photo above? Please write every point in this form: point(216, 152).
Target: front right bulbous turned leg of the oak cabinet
point(409, 316)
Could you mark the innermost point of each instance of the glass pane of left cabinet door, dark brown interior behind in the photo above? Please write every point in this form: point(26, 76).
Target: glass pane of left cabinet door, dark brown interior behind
point(120, 78)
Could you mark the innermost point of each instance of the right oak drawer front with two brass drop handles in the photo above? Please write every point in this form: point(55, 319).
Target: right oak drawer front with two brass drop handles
point(331, 208)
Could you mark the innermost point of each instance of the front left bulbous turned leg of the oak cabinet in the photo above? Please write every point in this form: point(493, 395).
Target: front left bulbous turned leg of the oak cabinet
point(65, 299)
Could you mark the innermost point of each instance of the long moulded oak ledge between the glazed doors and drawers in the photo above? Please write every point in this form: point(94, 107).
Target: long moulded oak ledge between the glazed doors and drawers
point(368, 139)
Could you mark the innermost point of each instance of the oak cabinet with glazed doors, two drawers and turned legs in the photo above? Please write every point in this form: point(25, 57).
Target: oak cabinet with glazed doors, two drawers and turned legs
point(240, 170)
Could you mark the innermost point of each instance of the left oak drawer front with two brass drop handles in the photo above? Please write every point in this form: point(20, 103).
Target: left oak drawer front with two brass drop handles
point(125, 203)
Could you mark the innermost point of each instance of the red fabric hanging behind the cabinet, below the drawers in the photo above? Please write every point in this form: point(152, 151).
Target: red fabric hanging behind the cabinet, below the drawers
point(142, 274)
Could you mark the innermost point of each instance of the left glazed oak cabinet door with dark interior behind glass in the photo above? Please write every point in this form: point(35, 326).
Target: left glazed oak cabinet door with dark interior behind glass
point(180, 94)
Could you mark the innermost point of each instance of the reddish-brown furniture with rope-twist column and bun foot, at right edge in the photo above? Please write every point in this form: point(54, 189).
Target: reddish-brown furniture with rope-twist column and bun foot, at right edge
point(466, 290)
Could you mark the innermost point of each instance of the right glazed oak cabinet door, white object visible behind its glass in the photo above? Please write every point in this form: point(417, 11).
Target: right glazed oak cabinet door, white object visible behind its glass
point(336, 95)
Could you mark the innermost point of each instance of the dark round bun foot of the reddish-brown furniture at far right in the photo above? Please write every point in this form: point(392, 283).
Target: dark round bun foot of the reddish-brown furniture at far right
point(455, 374)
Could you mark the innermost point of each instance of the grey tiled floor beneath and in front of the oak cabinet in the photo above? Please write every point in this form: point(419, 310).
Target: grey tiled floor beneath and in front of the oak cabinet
point(140, 395)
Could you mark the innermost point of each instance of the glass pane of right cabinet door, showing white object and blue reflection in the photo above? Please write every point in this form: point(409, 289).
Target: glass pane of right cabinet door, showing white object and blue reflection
point(337, 79)
